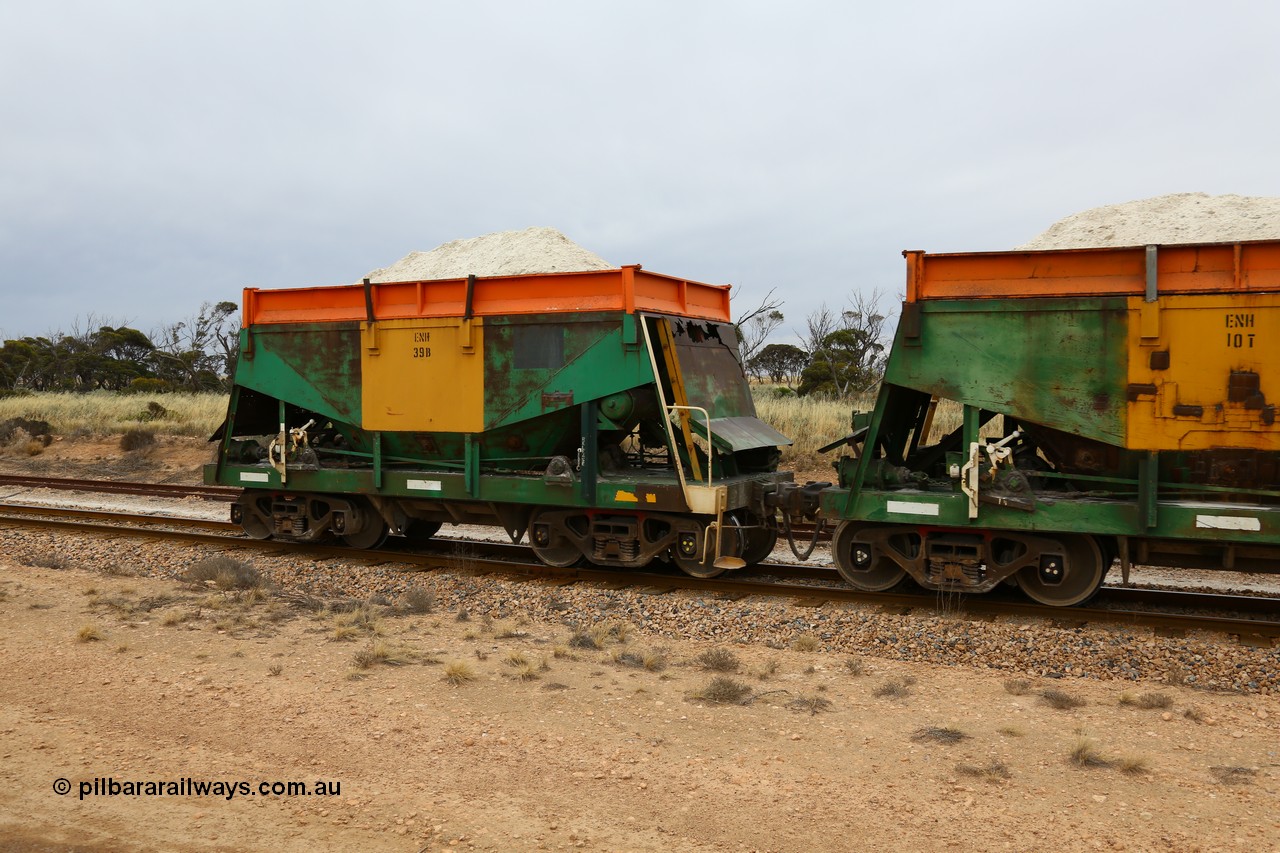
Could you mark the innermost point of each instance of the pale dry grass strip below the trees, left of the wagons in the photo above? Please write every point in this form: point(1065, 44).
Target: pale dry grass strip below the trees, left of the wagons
point(106, 414)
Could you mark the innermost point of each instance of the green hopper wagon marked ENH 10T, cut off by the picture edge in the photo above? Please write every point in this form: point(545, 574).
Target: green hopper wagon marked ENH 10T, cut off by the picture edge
point(1114, 405)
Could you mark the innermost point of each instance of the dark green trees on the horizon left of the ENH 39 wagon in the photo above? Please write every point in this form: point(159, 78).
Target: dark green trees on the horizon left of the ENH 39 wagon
point(198, 354)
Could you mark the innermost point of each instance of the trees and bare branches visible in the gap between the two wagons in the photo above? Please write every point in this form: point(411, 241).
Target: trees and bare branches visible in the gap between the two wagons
point(843, 353)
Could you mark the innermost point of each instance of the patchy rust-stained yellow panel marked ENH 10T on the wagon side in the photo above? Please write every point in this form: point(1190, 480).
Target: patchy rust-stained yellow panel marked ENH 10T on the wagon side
point(1208, 340)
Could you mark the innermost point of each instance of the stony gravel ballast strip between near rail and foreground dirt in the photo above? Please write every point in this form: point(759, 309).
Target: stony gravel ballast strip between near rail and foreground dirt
point(1020, 646)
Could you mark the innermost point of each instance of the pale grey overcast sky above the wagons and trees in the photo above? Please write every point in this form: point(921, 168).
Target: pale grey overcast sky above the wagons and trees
point(158, 156)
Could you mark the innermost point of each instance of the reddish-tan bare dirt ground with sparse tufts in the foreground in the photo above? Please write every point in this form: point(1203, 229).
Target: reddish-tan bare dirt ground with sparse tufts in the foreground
point(551, 746)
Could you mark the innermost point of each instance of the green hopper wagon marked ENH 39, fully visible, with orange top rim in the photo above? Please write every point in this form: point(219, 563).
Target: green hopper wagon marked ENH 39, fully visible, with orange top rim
point(605, 414)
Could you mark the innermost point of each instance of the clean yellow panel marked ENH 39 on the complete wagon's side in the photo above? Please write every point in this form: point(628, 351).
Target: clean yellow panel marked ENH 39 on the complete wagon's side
point(423, 376)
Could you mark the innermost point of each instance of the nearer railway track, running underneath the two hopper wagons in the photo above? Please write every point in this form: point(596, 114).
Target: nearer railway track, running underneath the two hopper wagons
point(1252, 619)
